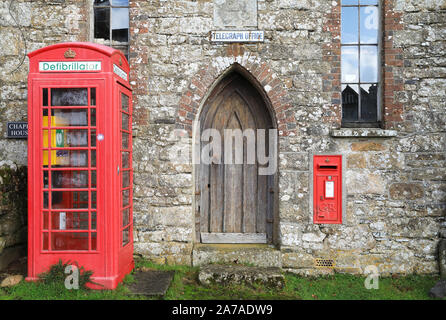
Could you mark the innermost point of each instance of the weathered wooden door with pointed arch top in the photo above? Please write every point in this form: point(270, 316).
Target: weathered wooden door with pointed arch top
point(235, 202)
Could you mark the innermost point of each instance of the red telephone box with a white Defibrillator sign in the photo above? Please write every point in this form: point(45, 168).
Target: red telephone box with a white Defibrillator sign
point(80, 161)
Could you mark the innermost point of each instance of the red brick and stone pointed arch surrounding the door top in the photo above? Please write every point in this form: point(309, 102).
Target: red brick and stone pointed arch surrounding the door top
point(259, 72)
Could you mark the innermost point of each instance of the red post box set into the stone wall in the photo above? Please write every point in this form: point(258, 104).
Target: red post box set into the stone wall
point(327, 189)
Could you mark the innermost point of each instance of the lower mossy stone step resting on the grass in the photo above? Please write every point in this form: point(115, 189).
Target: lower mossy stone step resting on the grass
point(230, 274)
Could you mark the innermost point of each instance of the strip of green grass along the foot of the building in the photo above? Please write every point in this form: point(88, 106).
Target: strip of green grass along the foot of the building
point(185, 286)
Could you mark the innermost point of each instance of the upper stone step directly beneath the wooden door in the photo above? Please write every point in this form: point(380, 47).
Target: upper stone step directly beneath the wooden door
point(260, 255)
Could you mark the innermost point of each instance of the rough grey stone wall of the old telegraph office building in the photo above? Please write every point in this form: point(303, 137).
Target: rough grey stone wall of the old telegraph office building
point(395, 180)
